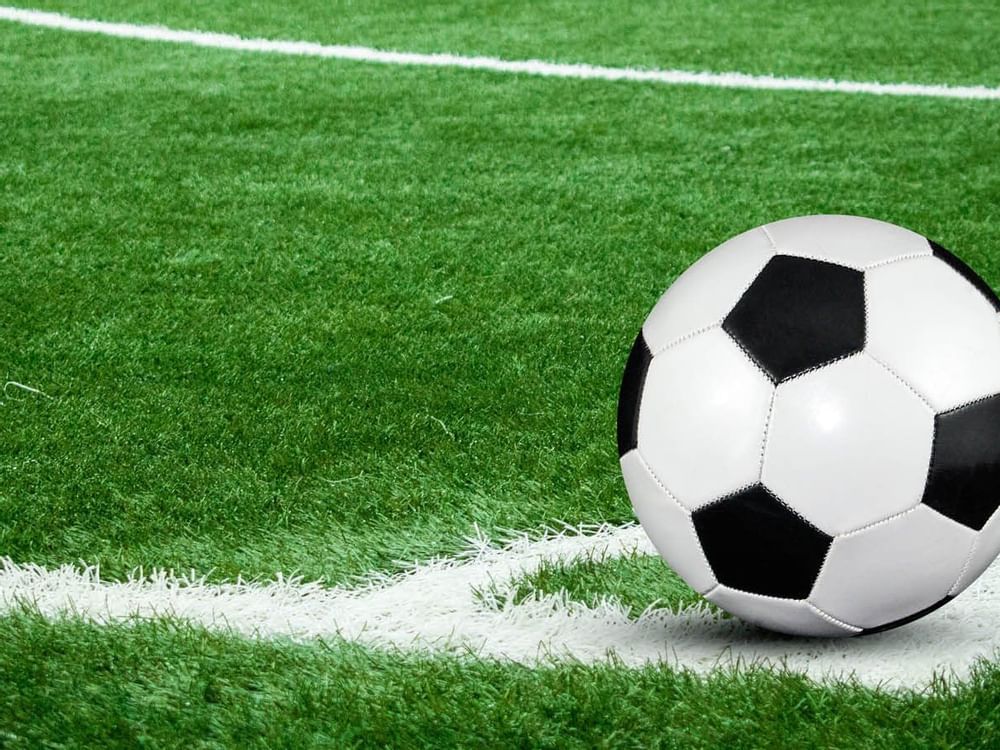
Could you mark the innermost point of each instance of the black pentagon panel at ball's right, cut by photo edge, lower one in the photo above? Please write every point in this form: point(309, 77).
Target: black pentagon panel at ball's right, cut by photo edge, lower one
point(964, 479)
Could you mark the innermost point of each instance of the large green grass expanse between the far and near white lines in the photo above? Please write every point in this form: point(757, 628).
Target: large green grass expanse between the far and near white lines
point(226, 271)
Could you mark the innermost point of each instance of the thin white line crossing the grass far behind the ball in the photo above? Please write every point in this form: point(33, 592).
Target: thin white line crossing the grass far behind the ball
point(530, 67)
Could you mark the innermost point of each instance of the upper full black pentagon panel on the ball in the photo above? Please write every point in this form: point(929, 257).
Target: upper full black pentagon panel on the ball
point(799, 314)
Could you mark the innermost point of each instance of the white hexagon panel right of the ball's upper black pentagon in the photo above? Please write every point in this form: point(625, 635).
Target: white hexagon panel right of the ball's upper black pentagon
point(935, 329)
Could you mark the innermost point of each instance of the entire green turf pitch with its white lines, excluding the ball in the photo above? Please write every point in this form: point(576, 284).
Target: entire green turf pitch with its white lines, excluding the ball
point(329, 350)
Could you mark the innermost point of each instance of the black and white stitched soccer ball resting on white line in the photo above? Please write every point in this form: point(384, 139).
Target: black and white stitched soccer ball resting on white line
point(809, 426)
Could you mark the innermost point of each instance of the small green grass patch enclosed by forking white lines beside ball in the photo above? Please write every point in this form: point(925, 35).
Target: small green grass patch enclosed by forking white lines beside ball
point(636, 581)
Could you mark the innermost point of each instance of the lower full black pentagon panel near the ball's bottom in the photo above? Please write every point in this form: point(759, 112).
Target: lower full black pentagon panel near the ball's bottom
point(756, 543)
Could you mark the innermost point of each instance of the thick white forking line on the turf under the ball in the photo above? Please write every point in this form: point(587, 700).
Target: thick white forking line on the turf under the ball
point(433, 608)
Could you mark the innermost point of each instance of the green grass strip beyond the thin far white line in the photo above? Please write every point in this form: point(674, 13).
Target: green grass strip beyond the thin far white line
point(950, 42)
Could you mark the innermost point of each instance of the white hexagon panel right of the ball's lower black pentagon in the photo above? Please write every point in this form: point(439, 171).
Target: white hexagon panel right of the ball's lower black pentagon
point(894, 570)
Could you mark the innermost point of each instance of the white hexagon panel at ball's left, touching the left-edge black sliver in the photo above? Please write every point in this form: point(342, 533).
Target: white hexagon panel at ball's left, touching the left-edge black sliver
point(701, 421)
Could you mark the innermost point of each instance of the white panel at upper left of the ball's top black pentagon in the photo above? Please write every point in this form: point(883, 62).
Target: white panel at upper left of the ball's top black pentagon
point(707, 291)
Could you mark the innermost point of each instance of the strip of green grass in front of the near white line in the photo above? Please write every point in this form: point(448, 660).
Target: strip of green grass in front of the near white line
point(164, 685)
